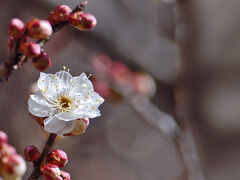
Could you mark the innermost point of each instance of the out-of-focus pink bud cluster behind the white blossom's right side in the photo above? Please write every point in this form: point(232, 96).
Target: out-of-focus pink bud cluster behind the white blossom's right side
point(131, 81)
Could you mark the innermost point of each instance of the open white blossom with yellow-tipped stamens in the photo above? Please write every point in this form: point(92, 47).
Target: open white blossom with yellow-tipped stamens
point(63, 99)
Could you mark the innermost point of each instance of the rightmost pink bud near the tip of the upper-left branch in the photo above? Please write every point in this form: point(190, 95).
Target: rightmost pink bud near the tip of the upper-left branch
point(82, 21)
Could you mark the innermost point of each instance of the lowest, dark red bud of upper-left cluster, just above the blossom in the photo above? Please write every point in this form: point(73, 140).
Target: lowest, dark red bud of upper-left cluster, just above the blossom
point(42, 62)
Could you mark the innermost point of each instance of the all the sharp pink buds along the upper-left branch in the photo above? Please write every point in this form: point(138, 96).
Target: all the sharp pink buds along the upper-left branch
point(40, 30)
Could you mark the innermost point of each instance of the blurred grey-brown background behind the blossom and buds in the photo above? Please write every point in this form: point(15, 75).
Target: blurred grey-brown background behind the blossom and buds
point(191, 50)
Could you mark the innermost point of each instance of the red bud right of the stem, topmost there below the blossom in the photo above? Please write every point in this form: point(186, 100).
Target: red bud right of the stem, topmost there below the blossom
point(57, 157)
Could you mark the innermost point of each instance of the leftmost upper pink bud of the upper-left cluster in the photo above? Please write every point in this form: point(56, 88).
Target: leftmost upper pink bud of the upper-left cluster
point(16, 28)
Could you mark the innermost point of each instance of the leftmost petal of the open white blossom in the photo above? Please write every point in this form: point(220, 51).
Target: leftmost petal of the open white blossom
point(38, 106)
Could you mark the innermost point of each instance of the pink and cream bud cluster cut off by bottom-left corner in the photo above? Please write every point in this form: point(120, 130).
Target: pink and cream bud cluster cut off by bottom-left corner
point(12, 165)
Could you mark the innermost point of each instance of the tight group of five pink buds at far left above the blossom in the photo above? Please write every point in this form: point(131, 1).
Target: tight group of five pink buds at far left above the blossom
point(35, 29)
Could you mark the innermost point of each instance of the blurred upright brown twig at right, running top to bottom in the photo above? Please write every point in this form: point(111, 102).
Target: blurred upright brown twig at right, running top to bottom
point(186, 145)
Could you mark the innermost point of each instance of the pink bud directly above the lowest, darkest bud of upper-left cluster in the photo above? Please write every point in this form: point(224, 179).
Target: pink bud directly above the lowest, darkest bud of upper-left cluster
point(32, 49)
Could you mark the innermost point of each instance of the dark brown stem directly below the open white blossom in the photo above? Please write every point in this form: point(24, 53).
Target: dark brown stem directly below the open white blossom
point(36, 171)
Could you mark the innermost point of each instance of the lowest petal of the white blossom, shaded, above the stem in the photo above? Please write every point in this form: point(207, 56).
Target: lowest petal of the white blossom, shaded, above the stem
point(57, 126)
